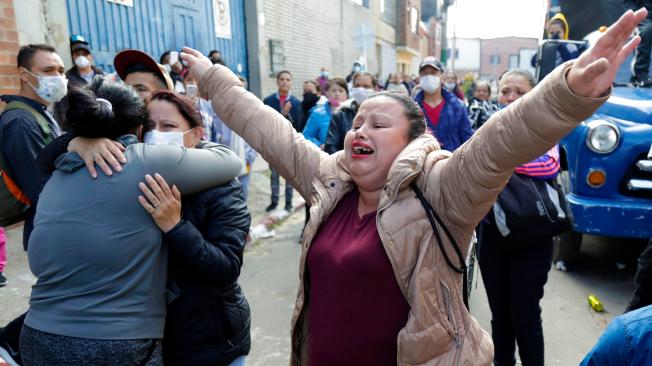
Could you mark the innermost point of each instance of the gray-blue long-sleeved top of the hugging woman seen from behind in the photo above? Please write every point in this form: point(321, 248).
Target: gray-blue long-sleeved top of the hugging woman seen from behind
point(97, 254)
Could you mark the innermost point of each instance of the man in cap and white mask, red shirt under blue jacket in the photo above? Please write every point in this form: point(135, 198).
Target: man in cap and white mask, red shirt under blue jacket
point(444, 112)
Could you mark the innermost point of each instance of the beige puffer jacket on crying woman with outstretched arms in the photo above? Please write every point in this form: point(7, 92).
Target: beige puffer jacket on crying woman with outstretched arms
point(461, 187)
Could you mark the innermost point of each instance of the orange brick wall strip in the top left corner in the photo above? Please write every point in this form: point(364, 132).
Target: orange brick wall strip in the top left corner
point(9, 82)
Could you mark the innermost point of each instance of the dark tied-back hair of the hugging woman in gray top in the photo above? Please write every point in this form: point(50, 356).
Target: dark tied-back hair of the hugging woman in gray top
point(104, 109)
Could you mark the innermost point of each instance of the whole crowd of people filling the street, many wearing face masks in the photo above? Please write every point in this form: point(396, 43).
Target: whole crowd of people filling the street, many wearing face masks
point(137, 262)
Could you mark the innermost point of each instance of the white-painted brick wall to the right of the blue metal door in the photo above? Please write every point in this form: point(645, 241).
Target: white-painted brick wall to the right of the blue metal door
point(315, 34)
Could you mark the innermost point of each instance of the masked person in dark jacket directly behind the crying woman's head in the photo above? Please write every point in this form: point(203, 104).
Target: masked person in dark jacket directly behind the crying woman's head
point(364, 86)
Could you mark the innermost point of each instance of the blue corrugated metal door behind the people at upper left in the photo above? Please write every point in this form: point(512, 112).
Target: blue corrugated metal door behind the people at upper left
point(155, 26)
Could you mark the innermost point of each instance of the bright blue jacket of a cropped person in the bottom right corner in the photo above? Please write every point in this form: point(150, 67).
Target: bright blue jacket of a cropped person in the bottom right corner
point(627, 341)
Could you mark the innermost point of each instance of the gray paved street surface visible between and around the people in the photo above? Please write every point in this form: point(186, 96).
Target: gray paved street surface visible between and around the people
point(270, 278)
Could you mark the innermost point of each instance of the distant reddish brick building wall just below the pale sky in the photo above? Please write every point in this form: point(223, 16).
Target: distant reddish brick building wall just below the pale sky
point(503, 48)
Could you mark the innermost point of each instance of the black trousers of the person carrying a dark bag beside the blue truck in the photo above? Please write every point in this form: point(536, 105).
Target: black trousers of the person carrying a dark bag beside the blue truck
point(514, 280)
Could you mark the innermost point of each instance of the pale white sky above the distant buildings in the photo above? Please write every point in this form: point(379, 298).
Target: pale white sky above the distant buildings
point(496, 18)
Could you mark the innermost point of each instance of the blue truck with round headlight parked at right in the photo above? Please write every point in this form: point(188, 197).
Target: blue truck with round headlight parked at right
point(607, 160)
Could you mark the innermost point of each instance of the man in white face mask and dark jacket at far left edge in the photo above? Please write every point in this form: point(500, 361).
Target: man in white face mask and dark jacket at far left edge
point(26, 127)
